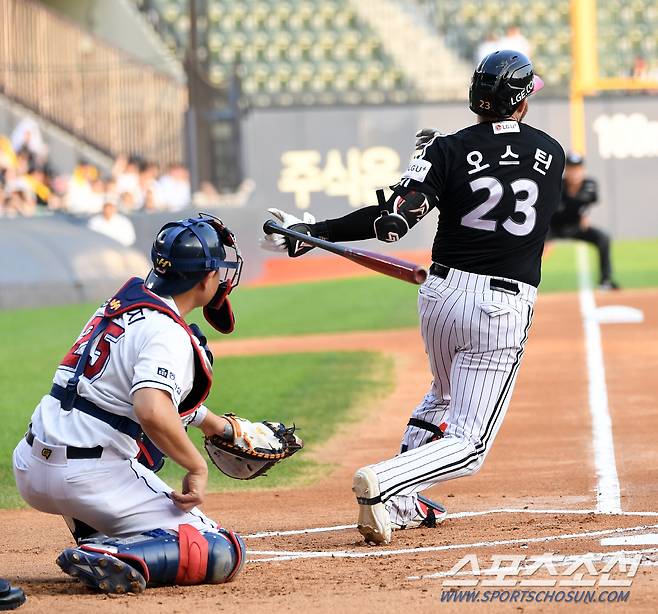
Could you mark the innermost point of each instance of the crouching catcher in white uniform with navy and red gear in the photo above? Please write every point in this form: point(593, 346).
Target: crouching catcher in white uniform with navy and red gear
point(121, 401)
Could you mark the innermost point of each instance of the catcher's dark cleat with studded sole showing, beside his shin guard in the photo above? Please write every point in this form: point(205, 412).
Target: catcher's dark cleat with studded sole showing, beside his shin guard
point(101, 571)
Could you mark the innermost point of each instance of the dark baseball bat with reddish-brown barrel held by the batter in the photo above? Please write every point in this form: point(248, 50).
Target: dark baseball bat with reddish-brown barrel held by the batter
point(388, 265)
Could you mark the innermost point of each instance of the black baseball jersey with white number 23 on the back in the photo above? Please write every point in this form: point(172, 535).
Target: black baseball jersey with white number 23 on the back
point(496, 185)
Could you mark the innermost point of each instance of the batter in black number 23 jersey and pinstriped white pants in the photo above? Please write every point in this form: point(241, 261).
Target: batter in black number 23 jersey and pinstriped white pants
point(496, 185)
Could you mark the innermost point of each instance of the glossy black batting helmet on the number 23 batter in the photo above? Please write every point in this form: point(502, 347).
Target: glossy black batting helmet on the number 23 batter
point(501, 82)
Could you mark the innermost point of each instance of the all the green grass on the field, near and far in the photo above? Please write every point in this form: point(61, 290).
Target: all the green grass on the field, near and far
point(34, 340)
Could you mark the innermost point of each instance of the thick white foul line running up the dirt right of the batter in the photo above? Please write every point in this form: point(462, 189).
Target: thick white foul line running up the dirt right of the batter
point(608, 498)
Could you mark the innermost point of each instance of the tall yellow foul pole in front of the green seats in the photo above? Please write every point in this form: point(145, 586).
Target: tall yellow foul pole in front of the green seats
point(585, 68)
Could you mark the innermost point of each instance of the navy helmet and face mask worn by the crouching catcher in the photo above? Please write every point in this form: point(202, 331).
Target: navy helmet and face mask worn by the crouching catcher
point(185, 251)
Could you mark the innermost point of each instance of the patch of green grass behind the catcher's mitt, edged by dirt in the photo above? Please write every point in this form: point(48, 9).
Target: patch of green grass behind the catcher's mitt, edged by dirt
point(317, 392)
